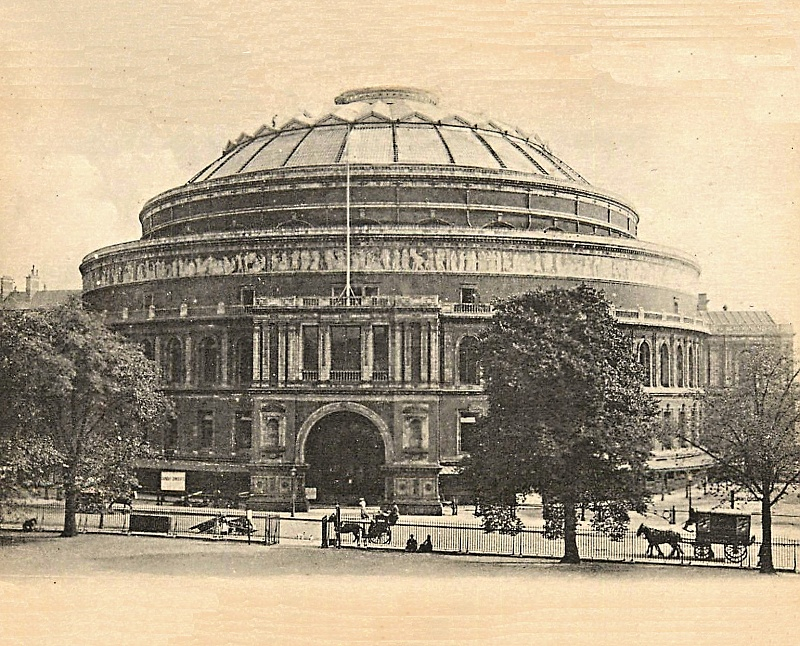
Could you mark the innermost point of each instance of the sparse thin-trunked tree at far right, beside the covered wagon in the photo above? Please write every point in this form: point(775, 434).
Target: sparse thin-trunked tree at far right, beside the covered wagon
point(750, 429)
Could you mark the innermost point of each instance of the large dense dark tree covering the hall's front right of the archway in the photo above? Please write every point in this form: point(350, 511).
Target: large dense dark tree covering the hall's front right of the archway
point(567, 415)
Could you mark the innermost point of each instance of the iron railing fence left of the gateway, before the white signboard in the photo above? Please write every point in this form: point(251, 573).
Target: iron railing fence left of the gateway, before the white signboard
point(187, 522)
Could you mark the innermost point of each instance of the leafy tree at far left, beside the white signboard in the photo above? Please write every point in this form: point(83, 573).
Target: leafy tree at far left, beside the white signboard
point(78, 395)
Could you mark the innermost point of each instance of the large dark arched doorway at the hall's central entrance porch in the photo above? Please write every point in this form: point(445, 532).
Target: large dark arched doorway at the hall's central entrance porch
point(345, 455)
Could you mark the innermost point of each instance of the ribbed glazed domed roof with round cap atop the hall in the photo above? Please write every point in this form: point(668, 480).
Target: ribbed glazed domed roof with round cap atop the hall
point(388, 126)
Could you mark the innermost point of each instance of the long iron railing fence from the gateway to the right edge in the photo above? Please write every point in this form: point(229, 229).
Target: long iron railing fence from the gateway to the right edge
point(466, 538)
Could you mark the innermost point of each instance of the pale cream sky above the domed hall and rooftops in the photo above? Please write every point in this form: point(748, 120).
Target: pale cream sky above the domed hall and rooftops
point(690, 110)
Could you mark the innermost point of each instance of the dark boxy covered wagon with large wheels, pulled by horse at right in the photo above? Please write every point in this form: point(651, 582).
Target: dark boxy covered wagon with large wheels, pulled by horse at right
point(730, 530)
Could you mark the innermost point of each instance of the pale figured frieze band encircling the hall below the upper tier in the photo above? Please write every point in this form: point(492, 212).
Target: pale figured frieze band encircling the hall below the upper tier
point(392, 256)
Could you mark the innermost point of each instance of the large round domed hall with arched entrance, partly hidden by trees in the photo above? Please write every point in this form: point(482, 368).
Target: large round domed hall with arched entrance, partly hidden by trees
point(284, 381)
